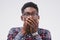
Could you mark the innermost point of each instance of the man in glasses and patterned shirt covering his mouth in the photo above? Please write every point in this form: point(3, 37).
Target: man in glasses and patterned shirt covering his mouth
point(30, 30)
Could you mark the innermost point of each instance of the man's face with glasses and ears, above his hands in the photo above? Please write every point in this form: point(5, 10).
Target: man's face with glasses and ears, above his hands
point(30, 12)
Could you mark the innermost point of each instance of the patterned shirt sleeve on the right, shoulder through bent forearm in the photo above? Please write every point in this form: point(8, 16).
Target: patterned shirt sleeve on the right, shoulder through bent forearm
point(45, 35)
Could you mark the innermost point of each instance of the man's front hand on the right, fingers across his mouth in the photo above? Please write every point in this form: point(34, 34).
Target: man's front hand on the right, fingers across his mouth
point(33, 23)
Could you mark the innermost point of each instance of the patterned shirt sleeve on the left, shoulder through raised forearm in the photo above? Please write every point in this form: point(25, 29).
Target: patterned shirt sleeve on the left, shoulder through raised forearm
point(12, 35)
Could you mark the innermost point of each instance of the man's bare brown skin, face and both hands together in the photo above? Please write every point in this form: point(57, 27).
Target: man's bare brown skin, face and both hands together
point(31, 19)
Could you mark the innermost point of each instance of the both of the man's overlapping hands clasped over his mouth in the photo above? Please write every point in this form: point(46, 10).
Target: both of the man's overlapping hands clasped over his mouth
point(30, 25)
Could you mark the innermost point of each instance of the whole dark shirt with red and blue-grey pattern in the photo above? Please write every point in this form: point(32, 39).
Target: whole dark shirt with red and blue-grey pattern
point(15, 34)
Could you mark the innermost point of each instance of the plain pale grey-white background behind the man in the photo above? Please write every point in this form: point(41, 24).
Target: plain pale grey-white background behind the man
point(49, 11)
